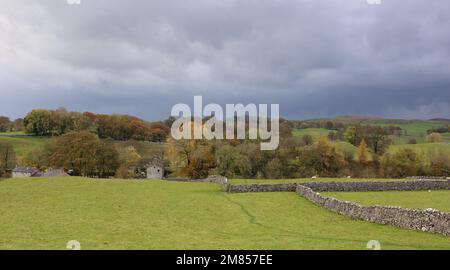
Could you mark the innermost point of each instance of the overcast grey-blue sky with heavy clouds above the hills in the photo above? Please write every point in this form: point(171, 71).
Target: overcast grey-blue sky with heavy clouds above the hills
point(316, 58)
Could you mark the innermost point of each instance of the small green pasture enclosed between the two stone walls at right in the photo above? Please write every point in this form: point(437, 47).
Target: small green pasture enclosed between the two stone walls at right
point(437, 199)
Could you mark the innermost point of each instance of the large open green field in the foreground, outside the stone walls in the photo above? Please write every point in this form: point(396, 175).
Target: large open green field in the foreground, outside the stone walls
point(132, 214)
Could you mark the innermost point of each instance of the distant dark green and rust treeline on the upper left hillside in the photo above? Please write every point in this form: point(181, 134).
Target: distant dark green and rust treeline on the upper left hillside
point(43, 122)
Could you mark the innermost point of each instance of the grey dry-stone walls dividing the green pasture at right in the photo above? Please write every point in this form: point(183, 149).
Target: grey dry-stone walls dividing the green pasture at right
point(425, 220)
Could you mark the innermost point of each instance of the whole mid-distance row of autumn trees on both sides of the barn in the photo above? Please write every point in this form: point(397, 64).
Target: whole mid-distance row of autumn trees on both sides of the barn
point(83, 153)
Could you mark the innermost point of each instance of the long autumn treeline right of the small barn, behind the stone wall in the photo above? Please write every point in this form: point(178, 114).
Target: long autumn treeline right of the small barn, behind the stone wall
point(298, 158)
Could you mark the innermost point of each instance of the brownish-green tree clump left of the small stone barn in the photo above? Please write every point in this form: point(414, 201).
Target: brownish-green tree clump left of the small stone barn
point(83, 153)
